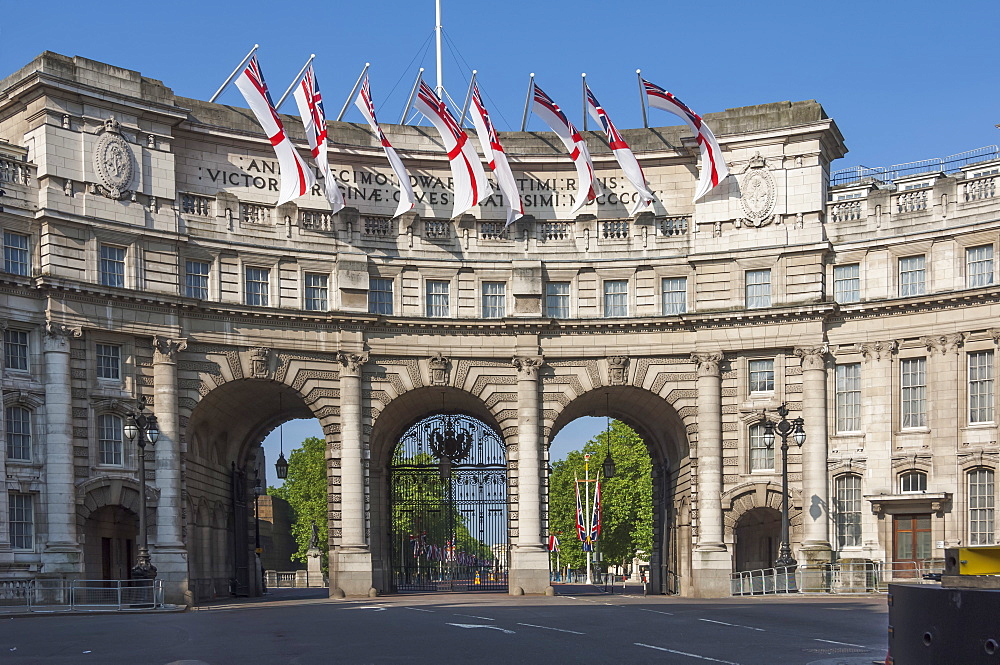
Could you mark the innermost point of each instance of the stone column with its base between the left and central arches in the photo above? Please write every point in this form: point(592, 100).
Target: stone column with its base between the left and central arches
point(351, 561)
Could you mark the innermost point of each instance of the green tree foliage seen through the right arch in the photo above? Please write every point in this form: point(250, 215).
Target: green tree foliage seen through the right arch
point(626, 499)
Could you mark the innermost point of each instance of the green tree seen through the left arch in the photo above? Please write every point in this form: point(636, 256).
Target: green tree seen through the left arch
point(305, 491)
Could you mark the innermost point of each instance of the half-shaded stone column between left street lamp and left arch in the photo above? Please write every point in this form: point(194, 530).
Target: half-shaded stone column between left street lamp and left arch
point(169, 555)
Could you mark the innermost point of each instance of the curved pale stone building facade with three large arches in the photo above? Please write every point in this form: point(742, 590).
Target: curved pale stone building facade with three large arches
point(143, 257)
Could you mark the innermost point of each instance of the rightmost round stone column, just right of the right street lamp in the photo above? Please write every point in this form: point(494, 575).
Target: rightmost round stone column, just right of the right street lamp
point(815, 542)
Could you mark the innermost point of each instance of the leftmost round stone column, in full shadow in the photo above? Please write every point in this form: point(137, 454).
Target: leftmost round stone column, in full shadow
point(62, 551)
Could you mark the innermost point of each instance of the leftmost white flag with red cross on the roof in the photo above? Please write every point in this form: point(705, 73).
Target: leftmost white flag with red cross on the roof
point(296, 178)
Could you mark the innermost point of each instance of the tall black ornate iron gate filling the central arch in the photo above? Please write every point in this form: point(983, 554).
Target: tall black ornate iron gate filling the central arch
point(449, 522)
